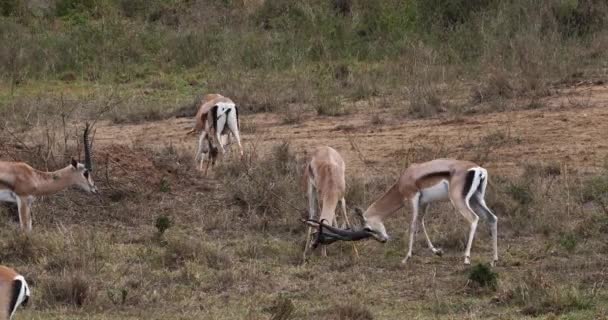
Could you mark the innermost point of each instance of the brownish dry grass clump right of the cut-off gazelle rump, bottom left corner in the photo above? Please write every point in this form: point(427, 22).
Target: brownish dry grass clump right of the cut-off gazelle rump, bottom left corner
point(72, 289)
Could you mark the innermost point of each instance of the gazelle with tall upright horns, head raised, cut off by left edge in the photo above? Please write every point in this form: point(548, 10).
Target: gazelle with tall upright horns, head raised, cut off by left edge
point(20, 183)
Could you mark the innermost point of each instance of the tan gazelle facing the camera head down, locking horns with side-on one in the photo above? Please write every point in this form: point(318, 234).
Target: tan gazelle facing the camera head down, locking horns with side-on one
point(324, 176)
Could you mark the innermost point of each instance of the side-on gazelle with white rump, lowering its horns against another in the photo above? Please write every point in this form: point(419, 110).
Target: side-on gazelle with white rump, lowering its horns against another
point(462, 182)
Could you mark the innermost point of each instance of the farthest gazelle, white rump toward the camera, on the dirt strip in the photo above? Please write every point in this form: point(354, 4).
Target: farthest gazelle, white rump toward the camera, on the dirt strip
point(215, 116)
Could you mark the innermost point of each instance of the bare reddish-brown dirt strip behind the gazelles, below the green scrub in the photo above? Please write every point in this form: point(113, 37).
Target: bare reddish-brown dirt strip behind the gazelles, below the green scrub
point(568, 128)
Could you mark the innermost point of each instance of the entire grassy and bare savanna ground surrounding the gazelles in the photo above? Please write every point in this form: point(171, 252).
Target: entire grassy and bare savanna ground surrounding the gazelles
point(389, 83)
